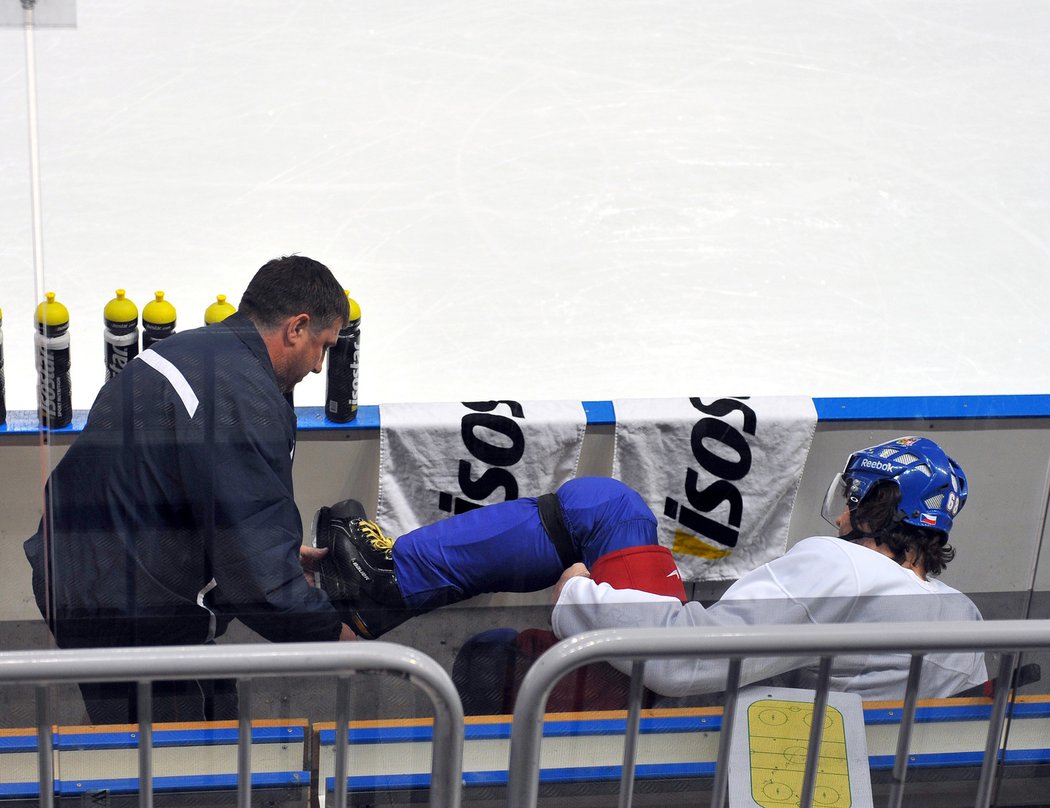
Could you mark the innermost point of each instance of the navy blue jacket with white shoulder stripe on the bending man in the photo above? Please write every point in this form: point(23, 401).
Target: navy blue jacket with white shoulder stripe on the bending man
point(173, 513)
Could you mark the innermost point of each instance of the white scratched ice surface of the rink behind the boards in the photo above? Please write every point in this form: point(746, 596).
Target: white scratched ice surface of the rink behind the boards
point(552, 200)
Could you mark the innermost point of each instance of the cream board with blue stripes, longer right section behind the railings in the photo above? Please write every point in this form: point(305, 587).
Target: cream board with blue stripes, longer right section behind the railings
point(673, 743)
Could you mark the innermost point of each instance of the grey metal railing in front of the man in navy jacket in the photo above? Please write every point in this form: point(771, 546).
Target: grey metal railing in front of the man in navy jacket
point(245, 663)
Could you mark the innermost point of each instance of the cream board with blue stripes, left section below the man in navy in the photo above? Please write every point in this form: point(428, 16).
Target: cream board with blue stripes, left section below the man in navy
point(191, 757)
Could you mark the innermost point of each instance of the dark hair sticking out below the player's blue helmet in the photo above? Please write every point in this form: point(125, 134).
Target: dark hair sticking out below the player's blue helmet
point(879, 514)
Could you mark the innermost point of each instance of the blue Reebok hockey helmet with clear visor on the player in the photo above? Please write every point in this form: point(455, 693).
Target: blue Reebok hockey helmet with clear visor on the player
point(933, 485)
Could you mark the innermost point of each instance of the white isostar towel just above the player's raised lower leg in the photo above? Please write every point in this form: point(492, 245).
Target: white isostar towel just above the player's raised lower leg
point(442, 459)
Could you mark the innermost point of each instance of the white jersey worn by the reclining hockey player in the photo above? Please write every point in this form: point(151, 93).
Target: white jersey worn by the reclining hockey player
point(820, 581)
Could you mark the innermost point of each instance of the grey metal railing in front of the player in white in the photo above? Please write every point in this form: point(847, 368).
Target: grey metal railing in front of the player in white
point(1009, 639)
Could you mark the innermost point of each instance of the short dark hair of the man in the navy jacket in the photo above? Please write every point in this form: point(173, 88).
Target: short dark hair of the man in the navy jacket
point(295, 285)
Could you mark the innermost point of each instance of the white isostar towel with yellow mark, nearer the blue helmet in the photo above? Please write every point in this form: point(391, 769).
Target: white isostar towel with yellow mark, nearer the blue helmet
point(721, 475)
